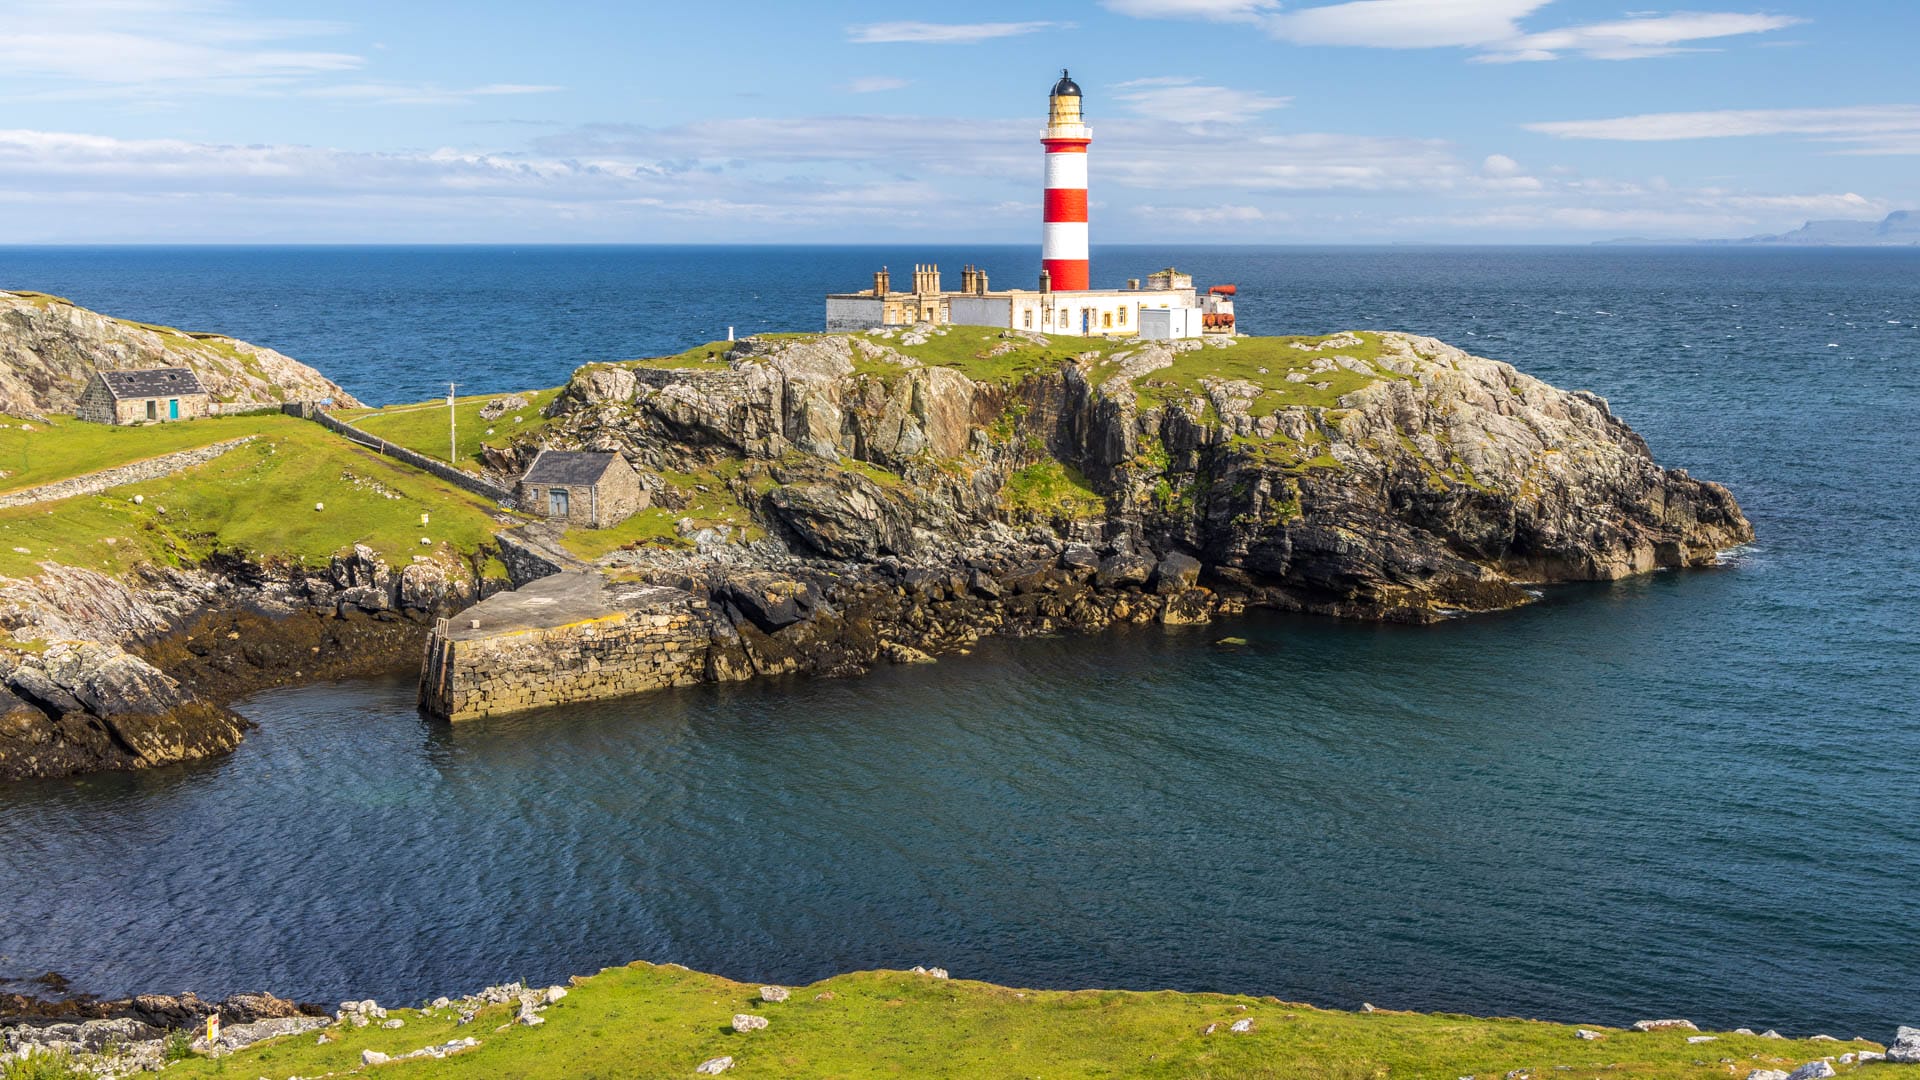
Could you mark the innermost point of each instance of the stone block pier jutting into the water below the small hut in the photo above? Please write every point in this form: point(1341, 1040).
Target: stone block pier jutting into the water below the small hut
point(571, 637)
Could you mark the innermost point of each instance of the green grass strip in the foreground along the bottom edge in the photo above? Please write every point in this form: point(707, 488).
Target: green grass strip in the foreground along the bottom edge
point(663, 1021)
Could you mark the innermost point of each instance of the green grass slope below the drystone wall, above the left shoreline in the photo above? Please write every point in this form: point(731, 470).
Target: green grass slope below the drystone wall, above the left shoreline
point(254, 501)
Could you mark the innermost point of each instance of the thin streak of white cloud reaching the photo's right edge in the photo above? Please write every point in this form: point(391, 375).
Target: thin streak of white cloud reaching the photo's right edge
point(1858, 130)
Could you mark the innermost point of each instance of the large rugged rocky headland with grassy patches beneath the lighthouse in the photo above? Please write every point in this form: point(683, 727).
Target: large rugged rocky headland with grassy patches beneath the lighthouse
point(1370, 476)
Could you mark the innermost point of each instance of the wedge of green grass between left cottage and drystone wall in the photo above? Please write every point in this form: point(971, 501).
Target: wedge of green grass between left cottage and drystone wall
point(36, 453)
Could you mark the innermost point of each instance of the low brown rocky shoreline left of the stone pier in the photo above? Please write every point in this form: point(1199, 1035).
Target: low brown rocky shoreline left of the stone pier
point(135, 674)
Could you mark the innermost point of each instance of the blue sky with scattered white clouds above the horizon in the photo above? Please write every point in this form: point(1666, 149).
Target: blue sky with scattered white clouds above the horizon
point(1214, 120)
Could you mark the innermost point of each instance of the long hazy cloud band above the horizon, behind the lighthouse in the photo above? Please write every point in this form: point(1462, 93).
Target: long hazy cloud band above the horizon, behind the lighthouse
point(828, 178)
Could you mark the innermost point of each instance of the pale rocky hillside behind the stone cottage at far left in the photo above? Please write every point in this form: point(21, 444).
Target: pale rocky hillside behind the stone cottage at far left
point(51, 347)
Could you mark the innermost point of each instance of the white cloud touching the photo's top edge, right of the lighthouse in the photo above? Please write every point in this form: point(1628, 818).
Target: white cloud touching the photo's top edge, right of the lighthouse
point(1495, 28)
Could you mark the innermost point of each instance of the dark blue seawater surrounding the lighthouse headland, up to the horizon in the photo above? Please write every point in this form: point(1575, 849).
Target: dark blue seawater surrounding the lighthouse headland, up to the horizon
point(1685, 795)
